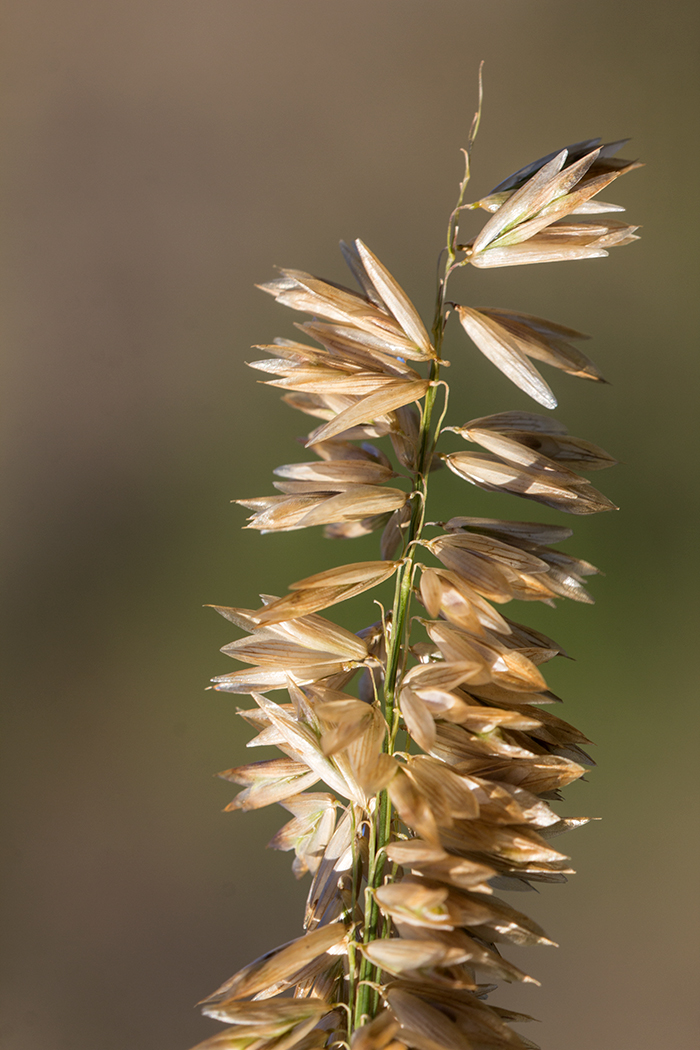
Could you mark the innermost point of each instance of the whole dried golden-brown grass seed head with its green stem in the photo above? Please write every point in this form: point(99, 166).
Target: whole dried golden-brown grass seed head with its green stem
point(418, 759)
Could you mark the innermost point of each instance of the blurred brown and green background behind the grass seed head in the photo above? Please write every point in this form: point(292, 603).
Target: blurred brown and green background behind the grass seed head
point(161, 159)
